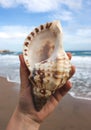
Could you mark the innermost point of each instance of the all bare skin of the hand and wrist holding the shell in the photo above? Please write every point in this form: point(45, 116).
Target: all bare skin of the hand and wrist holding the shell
point(25, 117)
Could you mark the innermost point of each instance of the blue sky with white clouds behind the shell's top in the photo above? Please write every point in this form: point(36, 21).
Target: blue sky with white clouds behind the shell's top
point(19, 17)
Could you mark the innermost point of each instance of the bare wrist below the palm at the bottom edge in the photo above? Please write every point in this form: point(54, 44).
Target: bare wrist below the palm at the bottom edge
point(21, 121)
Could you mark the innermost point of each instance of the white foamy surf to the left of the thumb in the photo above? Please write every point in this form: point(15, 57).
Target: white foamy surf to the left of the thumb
point(9, 67)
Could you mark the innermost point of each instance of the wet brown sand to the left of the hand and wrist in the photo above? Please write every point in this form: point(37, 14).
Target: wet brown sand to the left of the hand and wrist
point(8, 101)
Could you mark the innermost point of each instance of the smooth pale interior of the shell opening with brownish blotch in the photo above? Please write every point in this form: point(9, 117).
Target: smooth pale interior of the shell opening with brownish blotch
point(40, 47)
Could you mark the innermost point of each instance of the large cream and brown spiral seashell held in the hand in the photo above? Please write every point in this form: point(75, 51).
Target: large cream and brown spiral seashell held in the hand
point(46, 60)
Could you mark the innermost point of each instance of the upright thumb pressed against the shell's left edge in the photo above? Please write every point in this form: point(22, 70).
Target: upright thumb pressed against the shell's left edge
point(24, 73)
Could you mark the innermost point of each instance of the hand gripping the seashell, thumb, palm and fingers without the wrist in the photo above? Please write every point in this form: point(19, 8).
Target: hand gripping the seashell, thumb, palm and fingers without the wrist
point(26, 105)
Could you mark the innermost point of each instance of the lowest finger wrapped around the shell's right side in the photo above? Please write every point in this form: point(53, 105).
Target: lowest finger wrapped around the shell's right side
point(60, 93)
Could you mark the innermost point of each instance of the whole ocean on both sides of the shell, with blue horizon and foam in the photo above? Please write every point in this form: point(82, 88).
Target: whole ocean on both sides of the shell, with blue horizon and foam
point(9, 68)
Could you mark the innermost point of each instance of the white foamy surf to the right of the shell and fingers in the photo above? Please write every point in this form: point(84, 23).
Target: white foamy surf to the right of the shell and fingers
point(82, 78)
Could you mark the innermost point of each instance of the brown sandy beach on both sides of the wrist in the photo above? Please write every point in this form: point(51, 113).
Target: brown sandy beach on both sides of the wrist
point(71, 113)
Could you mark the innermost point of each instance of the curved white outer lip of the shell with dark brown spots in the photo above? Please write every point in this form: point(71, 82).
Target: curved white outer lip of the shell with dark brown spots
point(31, 36)
